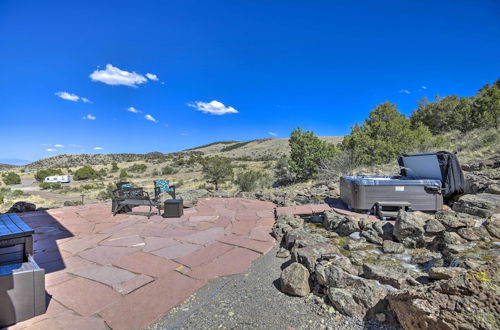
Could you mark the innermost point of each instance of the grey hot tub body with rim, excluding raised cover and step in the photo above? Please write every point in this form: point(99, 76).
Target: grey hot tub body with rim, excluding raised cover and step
point(362, 193)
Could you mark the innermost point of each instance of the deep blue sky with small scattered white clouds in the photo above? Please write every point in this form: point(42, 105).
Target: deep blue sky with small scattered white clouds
point(269, 65)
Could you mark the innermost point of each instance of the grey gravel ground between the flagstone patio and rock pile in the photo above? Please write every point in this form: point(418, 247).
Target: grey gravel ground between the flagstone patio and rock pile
point(253, 301)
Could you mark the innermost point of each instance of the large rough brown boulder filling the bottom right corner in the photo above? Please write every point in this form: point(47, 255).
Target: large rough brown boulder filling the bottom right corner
point(467, 301)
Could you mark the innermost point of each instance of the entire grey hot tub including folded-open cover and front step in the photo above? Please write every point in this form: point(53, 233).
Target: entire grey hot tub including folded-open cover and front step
point(424, 180)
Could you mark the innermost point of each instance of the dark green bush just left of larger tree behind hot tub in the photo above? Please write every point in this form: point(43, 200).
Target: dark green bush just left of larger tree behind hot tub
point(306, 152)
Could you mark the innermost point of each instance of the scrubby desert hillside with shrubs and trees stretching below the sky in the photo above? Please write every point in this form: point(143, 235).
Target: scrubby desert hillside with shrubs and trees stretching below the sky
point(466, 125)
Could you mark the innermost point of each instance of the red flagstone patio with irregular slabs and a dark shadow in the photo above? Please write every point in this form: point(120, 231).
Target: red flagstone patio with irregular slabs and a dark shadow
point(126, 271)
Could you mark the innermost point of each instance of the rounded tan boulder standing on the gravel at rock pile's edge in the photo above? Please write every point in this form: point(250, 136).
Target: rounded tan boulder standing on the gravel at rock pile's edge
point(294, 280)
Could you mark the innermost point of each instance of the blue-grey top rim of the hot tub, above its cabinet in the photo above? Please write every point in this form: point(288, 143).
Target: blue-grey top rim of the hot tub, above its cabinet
point(378, 180)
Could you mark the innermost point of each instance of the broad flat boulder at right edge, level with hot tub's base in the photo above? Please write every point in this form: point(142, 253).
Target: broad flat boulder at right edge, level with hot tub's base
point(482, 205)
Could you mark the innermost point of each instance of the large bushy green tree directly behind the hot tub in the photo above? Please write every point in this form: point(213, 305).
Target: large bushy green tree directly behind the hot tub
point(384, 135)
